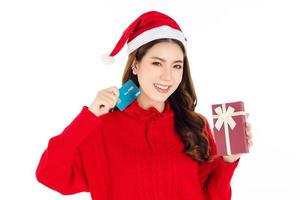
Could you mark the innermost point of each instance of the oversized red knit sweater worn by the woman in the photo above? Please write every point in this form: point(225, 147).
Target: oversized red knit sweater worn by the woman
point(131, 155)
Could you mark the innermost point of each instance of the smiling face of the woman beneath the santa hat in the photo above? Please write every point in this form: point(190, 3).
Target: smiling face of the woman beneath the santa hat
point(160, 72)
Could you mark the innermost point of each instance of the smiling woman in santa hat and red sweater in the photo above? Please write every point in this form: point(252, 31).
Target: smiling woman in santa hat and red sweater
point(158, 147)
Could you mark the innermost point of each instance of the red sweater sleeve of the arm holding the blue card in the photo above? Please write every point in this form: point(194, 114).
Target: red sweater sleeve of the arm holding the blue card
point(60, 166)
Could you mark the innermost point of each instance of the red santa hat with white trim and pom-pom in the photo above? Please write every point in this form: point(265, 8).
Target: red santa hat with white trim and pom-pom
point(149, 26)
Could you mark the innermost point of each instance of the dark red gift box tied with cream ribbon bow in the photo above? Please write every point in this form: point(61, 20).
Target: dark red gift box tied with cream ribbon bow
point(230, 128)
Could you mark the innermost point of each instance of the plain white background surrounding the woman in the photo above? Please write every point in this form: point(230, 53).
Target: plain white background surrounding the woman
point(239, 50)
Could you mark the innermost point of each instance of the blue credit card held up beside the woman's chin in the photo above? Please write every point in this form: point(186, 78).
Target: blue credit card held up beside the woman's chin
point(128, 93)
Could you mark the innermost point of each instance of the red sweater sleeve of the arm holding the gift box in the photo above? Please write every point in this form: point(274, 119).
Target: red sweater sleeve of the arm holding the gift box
point(217, 185)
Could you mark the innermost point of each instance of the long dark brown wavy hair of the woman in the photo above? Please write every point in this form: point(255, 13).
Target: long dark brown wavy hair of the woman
point(188, 124)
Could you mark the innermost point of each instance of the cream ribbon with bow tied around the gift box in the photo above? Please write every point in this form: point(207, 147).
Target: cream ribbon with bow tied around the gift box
point(224, 116)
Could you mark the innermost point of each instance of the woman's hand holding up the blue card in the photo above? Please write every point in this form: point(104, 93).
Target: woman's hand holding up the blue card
point(105, 100)
